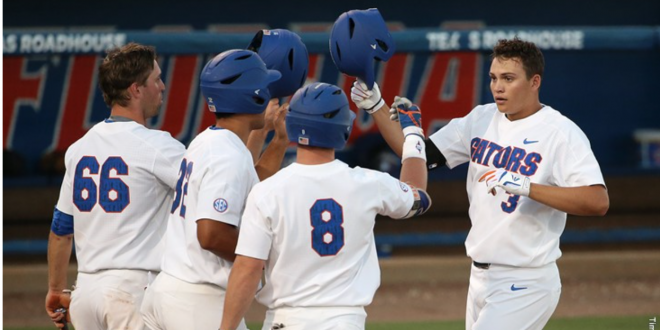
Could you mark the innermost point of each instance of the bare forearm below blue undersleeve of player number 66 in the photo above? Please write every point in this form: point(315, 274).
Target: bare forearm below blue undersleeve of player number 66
point(59, 253)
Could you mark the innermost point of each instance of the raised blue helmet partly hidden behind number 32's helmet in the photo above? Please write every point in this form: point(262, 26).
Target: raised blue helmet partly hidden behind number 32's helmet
point(284, 51)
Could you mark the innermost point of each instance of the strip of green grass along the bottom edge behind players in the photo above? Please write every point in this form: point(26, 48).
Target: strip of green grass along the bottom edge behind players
point(580, 323)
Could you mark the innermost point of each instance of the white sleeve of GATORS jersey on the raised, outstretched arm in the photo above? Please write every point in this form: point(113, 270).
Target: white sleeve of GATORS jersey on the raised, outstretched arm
point(453, 140)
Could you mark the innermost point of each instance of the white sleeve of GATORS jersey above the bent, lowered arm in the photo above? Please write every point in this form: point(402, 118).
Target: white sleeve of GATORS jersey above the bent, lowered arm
point(576, 164)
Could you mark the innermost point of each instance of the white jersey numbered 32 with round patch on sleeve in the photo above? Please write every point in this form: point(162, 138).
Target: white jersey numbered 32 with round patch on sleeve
point(216, 175)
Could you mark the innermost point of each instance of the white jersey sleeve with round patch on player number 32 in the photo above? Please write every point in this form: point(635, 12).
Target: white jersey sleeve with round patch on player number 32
point(223, 191)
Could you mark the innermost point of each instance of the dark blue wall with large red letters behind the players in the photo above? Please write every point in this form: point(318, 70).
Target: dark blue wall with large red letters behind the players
point(603, 78)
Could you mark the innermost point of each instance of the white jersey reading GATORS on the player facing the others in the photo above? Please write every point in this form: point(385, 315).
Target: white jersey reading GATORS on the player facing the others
point(548, 148)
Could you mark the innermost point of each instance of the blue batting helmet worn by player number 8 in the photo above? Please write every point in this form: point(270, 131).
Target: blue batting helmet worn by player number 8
point(319, 116)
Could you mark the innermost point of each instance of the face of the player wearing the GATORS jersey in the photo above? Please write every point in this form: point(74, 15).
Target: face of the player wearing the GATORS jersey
point(514, 94)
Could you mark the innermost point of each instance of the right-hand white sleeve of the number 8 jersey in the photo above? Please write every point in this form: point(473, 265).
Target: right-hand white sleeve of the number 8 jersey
point(396, 196)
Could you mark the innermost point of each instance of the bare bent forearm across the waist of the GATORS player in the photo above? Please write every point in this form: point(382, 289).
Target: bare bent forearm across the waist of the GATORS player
point(587, 200)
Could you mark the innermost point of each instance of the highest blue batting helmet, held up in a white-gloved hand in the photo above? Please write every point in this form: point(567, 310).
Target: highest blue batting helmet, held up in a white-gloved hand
point(358, 38)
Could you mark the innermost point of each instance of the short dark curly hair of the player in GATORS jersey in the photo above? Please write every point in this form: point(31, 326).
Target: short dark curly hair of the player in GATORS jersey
point(530, 56)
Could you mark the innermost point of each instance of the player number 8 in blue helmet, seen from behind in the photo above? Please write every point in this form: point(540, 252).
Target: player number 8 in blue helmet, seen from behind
point(311, 224)
